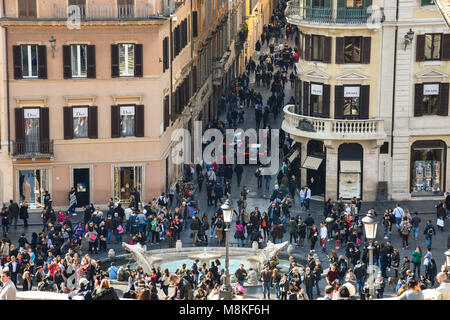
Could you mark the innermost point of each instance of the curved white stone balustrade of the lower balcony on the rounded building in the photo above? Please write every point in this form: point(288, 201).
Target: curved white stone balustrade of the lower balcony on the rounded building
point(324, 128)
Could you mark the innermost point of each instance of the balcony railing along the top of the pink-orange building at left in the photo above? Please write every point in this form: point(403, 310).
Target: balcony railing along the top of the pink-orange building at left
point(107, 12)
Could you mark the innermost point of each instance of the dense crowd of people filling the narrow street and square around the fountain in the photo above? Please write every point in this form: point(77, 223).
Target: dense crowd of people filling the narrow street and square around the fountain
point(59, 259)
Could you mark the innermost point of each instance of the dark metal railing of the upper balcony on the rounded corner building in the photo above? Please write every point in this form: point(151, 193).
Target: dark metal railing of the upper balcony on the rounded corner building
point(347, 16)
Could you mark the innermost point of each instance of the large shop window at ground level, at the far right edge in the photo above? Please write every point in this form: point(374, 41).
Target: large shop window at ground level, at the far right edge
point(427, 172)
